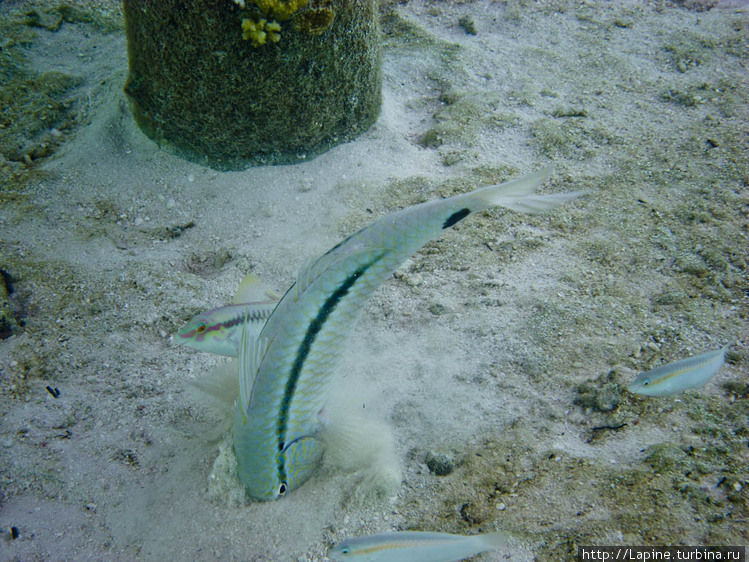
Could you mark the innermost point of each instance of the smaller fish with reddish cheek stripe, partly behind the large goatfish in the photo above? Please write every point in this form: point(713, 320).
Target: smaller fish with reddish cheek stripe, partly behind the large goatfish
point(218, 330)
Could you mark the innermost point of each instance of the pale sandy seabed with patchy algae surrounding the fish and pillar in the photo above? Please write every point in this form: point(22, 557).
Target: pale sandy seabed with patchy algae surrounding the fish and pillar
point(498, 356)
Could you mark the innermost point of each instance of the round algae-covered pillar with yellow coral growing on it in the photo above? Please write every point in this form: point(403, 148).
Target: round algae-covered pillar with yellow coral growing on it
point(233, 83)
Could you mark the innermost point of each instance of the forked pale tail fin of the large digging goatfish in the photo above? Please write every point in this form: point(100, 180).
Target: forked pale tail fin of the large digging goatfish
point(519, 195)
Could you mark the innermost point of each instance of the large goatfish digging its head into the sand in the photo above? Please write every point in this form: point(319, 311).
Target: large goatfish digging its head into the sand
point(285, 373)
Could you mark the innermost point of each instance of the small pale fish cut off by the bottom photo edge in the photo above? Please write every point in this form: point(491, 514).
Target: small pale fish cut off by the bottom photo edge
point(416, 546)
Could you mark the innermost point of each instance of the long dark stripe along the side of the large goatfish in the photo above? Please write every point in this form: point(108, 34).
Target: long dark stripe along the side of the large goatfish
point(304, 349)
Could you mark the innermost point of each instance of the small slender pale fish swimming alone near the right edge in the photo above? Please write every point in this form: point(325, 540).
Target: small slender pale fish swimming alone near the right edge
point(679, 375)
